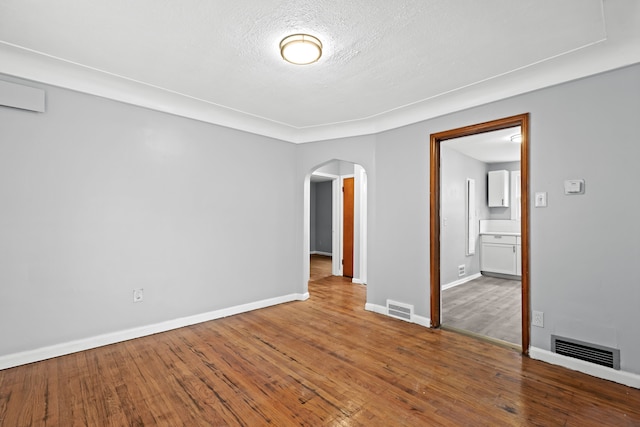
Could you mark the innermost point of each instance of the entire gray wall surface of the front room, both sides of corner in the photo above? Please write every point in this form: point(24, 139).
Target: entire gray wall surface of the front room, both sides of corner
point(100, 198)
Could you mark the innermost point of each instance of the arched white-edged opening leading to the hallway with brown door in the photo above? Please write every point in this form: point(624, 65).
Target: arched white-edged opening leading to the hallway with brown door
point(336, 222)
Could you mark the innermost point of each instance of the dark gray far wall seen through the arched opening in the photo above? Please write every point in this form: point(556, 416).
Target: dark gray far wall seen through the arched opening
point(321, 212)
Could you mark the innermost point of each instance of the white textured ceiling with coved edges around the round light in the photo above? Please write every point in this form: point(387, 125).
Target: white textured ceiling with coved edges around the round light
point(385, 63)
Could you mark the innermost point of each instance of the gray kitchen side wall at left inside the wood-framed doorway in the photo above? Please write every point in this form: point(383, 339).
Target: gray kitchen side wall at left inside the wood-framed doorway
point(455, 169)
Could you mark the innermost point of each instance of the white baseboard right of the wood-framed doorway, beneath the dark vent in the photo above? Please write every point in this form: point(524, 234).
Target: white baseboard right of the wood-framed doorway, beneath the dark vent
point(621, 377)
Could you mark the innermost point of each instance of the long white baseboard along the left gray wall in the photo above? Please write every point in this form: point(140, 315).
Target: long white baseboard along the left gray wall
point(36, 355)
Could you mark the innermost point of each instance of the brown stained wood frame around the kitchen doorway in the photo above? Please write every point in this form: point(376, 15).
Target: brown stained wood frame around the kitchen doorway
point(521, 120)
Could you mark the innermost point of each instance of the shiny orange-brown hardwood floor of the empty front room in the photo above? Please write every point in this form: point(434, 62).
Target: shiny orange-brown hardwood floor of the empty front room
point(324, 361)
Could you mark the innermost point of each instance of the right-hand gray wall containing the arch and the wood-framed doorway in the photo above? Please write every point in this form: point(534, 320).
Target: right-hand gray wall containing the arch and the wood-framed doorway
point(581, 246)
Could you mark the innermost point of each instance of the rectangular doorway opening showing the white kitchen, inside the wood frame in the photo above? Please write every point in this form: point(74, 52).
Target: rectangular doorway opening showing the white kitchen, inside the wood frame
point(480, 235)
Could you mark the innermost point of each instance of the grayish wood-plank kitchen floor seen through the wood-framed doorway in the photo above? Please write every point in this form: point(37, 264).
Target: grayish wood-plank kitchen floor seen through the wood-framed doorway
point(486, 306)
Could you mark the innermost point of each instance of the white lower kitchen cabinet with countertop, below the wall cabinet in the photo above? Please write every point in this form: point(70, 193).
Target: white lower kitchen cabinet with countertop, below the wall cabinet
point(501, 254)
